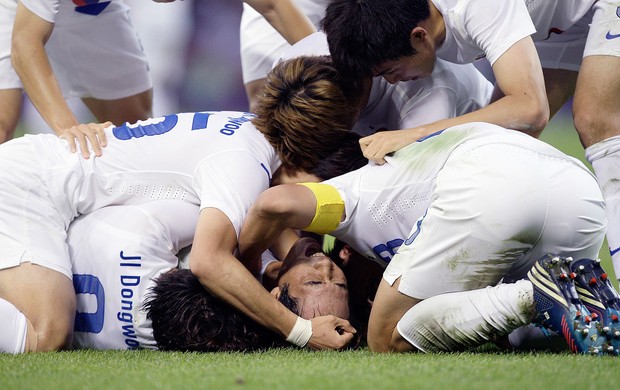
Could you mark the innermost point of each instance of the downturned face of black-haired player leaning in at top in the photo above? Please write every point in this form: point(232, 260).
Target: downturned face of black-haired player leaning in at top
point(408, 68)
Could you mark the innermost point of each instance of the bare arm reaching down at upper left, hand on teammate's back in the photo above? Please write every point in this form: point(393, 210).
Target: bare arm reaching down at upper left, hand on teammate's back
point(28, 56)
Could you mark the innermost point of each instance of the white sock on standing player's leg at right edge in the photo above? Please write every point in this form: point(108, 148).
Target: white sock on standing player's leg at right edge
point(605, 159)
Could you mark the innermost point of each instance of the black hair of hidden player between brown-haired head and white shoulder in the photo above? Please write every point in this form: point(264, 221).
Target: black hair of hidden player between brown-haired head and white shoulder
point(347, 158)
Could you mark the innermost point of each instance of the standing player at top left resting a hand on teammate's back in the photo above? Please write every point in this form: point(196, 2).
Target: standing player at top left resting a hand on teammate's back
point(61, 49)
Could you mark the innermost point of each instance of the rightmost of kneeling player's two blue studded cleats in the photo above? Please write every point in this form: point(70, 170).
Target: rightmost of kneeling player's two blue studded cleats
point(601, 298)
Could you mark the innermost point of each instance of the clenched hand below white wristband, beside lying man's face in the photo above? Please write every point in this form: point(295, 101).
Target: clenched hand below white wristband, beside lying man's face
point(330, 332)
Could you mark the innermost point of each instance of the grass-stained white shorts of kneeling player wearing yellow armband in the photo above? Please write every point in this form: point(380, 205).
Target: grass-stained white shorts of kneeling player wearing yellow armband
point(477, 232)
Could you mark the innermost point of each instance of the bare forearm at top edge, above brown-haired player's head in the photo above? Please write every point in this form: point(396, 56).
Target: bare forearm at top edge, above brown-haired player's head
point(285, 17)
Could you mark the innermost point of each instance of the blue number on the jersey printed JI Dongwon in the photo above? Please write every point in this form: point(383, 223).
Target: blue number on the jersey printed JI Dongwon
point(89, 322)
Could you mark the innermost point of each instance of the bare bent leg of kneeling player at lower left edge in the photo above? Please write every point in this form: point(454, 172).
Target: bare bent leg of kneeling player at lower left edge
point(47, 299)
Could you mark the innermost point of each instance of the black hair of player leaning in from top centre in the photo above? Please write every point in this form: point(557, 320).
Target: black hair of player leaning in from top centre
point(363, 34)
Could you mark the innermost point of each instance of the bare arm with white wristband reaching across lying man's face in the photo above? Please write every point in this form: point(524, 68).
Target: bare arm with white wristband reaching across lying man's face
point(212, 261)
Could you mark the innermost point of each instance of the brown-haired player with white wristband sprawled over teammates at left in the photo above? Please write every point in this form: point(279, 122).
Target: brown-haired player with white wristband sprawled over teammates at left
point(229, 158)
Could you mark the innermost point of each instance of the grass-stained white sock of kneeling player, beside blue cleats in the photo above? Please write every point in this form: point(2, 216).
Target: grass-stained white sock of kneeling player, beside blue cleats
point(458, 321)
